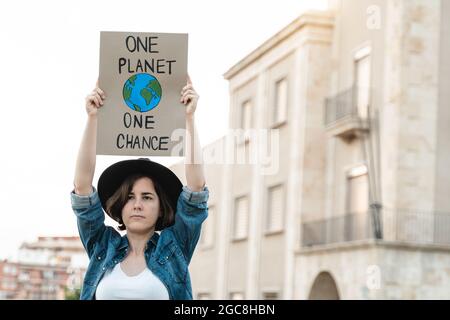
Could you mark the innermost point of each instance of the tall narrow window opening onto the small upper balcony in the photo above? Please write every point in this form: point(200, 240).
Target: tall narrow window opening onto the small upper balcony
point(362, 82)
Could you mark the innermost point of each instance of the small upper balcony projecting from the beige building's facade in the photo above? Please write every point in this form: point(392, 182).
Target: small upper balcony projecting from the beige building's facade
point(346, 113)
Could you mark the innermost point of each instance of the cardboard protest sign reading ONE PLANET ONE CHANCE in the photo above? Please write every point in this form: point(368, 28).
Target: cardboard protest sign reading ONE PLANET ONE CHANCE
point(142, 75)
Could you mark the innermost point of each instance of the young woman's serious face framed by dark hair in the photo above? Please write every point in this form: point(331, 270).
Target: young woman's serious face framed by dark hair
point(141, 211)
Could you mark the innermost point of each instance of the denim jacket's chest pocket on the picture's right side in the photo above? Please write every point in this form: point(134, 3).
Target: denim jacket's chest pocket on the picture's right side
point(173, 262)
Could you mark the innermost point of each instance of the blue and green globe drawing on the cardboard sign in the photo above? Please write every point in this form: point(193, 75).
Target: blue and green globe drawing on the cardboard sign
point(142, 92)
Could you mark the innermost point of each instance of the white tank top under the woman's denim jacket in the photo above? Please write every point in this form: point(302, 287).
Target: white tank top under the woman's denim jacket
point(116, 285)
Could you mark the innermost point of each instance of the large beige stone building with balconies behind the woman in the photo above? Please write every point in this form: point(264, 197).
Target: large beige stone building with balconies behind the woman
point(354, 200)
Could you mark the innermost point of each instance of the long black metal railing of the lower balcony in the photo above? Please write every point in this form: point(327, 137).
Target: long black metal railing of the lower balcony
point(397, 225)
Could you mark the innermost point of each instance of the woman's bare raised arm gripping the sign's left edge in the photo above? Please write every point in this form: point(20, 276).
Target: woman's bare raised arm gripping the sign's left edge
point(85, 166)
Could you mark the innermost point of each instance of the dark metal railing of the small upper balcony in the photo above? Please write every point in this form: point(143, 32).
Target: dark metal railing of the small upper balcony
point(343, 106)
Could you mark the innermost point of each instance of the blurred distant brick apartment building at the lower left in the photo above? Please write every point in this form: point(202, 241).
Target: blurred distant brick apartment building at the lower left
point(45, 269)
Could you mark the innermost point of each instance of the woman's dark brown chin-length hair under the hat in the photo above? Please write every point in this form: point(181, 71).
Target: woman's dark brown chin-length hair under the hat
point(117, 201)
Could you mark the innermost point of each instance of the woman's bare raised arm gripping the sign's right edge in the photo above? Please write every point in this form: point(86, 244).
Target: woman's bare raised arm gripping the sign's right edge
point(193, 153)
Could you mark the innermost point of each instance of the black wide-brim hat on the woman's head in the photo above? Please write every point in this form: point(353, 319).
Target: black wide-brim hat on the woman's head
point(113, 177)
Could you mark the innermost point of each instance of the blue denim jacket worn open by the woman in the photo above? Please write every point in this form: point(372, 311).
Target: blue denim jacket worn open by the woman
point(167, 254)
